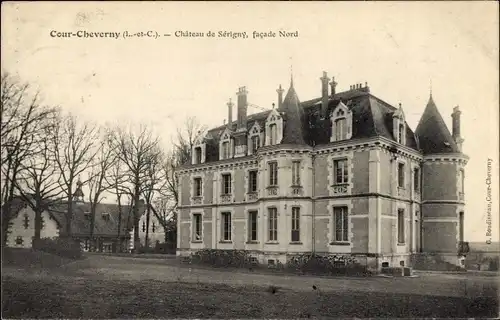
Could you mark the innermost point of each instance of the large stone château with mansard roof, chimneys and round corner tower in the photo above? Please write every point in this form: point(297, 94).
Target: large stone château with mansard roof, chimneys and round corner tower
point(339, 174)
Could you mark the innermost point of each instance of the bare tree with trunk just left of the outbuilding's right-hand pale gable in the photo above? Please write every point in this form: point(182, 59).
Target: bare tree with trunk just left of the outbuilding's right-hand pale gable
point(134, 150)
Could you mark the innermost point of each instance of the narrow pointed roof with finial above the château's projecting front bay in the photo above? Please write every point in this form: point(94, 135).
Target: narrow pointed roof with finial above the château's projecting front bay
point(293, 130)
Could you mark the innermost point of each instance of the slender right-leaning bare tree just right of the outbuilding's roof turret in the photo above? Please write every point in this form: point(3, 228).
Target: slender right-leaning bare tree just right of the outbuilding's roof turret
point(97, 182)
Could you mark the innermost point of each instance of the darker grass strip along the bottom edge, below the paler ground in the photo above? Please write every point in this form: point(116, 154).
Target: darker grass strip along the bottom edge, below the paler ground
point(72, 297)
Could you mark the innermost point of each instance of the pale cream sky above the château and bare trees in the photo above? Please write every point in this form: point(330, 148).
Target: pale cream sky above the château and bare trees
point(402, 49)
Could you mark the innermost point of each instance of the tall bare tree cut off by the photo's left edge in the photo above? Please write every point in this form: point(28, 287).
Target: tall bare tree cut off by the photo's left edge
point(21, 115)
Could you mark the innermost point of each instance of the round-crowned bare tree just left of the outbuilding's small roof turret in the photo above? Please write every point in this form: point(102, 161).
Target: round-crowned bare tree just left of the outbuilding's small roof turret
point(74, 152)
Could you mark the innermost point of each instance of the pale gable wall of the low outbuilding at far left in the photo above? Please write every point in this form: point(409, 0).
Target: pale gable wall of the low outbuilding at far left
point(17, 229)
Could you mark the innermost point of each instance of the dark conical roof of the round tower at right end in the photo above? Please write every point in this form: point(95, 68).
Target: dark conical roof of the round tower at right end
point(433, 134)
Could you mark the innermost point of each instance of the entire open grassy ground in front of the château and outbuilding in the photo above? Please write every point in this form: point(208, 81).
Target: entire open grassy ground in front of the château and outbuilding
point(117, 287)
